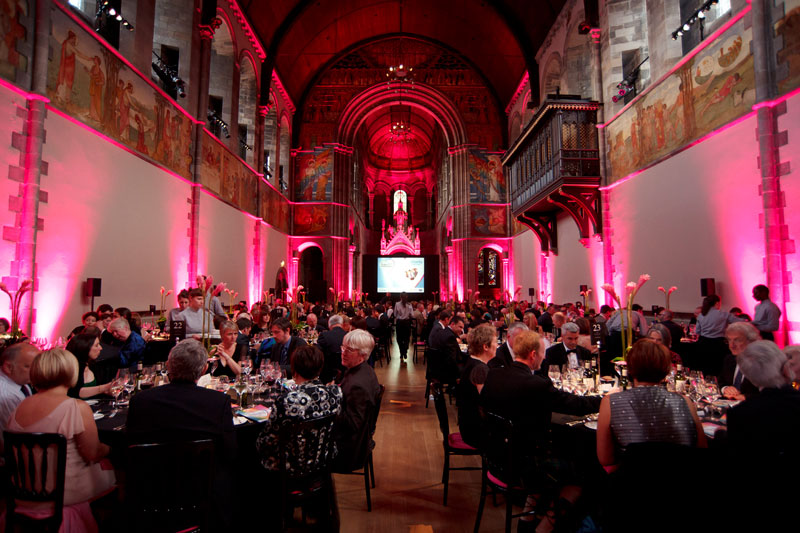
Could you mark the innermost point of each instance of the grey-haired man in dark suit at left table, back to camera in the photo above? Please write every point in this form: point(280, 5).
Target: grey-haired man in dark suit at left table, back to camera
point(181, 411)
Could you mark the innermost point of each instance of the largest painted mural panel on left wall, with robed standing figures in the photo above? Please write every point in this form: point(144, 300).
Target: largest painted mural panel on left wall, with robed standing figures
point(90, 83)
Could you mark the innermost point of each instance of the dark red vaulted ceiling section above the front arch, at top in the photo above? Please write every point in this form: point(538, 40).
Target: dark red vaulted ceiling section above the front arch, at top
point(499, 37)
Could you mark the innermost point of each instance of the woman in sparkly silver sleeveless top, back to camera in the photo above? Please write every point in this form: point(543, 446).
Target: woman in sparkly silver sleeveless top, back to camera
point(625, 416)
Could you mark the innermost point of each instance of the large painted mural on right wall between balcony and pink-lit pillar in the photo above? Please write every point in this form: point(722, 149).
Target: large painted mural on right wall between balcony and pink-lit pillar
point(708, 91)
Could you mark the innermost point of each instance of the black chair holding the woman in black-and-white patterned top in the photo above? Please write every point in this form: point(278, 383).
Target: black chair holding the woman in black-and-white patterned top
point(305, 453)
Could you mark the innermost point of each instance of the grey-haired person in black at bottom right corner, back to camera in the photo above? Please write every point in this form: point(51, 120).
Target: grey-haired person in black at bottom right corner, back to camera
point(763, 432)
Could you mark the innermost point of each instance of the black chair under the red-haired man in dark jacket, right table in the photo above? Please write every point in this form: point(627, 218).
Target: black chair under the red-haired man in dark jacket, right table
point(502, 468)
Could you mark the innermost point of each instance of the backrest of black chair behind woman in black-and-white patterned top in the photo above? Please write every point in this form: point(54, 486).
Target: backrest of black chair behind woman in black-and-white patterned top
point(306, 447)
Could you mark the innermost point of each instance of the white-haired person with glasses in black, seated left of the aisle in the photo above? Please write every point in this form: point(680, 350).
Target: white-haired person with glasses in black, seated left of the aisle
point(360, 391)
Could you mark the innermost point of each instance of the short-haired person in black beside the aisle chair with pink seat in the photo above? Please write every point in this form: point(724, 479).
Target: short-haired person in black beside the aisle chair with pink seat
point(482, 345)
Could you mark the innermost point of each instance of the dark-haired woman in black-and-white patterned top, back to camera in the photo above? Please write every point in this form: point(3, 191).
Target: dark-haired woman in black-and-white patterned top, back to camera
point(311, 399)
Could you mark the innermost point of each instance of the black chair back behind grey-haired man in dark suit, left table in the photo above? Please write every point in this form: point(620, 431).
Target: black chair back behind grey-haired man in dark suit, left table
point(169, 485)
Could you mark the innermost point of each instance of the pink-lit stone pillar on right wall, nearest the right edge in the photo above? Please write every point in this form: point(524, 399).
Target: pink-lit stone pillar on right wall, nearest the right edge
point(775, 230)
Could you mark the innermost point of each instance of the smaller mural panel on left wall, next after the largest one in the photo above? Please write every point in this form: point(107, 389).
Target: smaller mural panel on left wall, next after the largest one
point(225, 175)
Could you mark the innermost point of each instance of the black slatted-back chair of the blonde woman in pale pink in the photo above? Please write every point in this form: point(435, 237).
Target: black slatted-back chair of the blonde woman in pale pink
point(30, 472)
